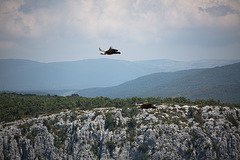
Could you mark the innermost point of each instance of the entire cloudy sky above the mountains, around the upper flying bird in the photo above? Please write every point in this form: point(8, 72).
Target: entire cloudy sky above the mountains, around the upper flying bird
point(70, 30)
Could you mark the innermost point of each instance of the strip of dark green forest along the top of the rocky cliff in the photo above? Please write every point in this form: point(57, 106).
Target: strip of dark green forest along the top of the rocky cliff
point(17, 106)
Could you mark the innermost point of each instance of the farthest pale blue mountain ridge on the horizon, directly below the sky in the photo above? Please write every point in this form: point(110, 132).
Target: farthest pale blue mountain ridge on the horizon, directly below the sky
point(16, 74)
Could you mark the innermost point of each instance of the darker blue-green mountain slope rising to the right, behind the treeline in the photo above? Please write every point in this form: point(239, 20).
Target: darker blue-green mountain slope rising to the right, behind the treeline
point(220, 83)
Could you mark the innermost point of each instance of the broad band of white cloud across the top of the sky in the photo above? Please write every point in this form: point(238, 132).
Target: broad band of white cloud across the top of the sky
point(132, 18)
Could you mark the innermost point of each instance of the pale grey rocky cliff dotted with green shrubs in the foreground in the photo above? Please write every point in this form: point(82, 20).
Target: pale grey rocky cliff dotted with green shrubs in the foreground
point(168, 132)
